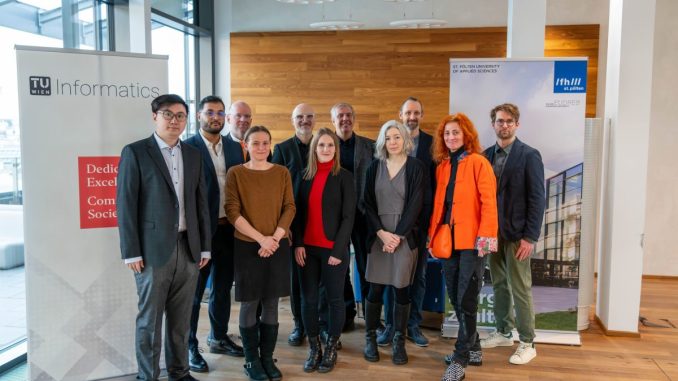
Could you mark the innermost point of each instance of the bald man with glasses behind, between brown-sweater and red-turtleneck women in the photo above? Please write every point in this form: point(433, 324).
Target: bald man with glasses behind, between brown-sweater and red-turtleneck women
point(293, 154)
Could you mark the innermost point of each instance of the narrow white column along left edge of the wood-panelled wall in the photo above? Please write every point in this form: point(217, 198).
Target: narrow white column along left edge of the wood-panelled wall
point(222, 50)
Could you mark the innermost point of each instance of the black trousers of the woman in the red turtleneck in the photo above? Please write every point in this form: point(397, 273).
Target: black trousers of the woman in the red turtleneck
point(312, 274)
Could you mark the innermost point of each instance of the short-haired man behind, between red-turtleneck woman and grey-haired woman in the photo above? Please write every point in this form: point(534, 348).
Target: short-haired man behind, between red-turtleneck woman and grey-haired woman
point(357, 152)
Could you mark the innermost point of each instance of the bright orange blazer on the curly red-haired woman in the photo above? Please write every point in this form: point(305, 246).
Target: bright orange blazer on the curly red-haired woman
point(474, 205)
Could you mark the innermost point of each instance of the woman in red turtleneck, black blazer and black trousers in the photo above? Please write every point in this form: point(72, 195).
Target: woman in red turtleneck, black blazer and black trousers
point(321, 232)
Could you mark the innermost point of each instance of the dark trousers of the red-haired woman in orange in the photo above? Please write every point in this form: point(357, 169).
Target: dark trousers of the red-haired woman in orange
point(463, 279)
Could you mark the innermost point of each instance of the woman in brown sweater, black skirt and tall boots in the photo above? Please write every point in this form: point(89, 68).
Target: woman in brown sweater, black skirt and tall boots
point(260, 205)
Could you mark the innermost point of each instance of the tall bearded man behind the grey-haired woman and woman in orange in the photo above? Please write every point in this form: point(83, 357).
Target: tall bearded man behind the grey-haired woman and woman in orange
point(411, 115)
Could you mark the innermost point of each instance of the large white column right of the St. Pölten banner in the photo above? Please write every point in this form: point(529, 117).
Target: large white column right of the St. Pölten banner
point(627, 107)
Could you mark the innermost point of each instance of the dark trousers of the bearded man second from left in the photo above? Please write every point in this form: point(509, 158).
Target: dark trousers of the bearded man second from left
point(221, 269)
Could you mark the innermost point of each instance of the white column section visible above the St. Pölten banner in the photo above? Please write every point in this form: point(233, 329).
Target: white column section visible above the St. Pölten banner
point(526, 23)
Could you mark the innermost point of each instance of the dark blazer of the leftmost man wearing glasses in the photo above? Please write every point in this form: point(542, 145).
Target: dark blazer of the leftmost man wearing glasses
point(147, 206)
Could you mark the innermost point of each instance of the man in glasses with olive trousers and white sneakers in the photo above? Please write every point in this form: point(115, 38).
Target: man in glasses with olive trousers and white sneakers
point(520, 205)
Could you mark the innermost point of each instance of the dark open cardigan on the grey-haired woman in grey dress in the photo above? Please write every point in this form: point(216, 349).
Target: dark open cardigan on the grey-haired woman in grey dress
point(408, 226)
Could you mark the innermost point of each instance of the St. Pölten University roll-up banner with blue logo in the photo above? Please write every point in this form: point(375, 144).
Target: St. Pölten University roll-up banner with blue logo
point(551, 96)
